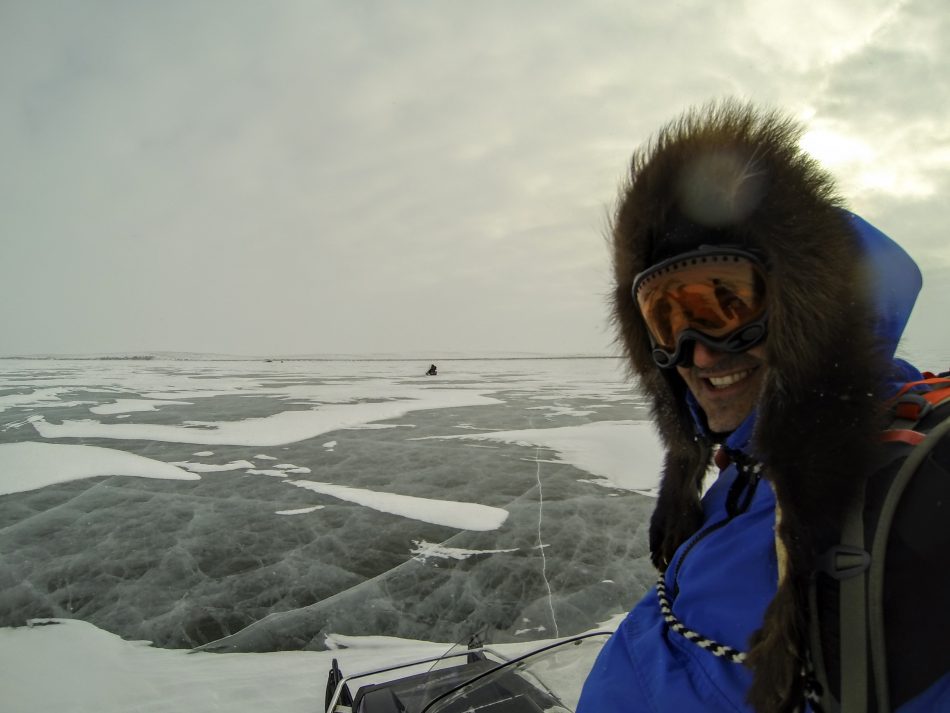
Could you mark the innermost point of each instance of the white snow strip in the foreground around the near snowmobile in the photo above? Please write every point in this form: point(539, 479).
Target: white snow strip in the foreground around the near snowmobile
point(68, 665)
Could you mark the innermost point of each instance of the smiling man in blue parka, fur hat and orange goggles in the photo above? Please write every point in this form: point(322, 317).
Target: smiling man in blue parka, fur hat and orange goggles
point(761, 319)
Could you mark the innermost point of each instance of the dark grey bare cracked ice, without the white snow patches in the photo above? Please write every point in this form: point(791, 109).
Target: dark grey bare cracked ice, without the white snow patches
point(188, 563)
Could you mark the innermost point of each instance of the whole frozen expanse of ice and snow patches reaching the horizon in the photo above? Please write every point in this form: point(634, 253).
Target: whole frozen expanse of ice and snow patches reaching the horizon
point(261, 506)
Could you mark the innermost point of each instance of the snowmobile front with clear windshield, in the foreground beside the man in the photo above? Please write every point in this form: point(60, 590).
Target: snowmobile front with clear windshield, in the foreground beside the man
point(474, 679)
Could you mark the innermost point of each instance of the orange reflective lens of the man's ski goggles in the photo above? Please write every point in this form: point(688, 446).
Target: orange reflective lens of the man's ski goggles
point(711, 293)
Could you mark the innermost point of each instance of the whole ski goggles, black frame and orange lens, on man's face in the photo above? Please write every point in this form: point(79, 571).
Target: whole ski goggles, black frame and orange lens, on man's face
point(712, 295)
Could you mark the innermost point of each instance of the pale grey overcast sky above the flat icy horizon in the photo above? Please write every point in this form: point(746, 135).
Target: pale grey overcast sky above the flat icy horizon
point(407, 176)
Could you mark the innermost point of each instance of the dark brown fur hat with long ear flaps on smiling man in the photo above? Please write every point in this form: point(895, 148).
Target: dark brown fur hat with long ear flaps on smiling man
point(729, 173)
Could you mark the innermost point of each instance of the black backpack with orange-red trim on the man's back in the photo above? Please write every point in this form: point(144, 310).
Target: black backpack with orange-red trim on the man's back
point(880, 600)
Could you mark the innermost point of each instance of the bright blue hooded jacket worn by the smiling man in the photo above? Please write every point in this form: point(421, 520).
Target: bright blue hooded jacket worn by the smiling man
point(722, 579)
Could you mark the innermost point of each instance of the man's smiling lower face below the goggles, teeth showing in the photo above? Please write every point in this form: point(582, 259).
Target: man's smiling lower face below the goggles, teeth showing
point(726, 385)
